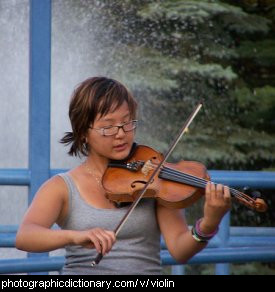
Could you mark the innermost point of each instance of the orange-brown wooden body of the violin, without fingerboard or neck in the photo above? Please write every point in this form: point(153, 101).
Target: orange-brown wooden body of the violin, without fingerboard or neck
point(123, 184)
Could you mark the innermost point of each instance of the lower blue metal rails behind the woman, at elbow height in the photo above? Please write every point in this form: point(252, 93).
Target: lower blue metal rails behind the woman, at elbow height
point(243, 244)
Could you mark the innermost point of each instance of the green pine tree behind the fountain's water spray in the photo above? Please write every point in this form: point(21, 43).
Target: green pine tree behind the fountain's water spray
point(173, 53)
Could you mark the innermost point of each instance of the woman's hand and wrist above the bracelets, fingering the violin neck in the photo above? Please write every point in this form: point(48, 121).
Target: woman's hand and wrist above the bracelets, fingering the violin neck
point(217, 203)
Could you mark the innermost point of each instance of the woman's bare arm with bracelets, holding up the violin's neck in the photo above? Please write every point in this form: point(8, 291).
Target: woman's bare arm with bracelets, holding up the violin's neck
point(178, 238)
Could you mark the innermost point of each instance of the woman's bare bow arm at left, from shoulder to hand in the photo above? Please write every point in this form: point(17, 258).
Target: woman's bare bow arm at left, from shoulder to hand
point(49, 206)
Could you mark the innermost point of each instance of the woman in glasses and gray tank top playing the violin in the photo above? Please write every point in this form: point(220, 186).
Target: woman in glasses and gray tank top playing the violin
point(103, 118)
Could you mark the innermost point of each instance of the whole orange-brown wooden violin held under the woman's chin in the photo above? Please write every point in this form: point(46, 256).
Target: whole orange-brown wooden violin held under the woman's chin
point(176, 185)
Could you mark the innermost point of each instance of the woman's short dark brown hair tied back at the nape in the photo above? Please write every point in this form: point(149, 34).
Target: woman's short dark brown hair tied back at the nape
point(95, 95)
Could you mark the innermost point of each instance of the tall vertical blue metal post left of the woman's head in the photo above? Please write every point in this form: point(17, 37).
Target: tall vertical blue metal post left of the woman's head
point(39, 100)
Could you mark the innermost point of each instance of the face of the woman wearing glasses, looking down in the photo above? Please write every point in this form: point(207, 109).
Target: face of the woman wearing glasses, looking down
point(117, 146)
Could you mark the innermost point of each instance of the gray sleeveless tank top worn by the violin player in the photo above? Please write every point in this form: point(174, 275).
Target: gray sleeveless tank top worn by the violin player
point(137, 249)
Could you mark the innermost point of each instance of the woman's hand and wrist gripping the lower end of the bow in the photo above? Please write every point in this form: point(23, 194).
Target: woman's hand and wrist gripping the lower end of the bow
point(100, 239)
